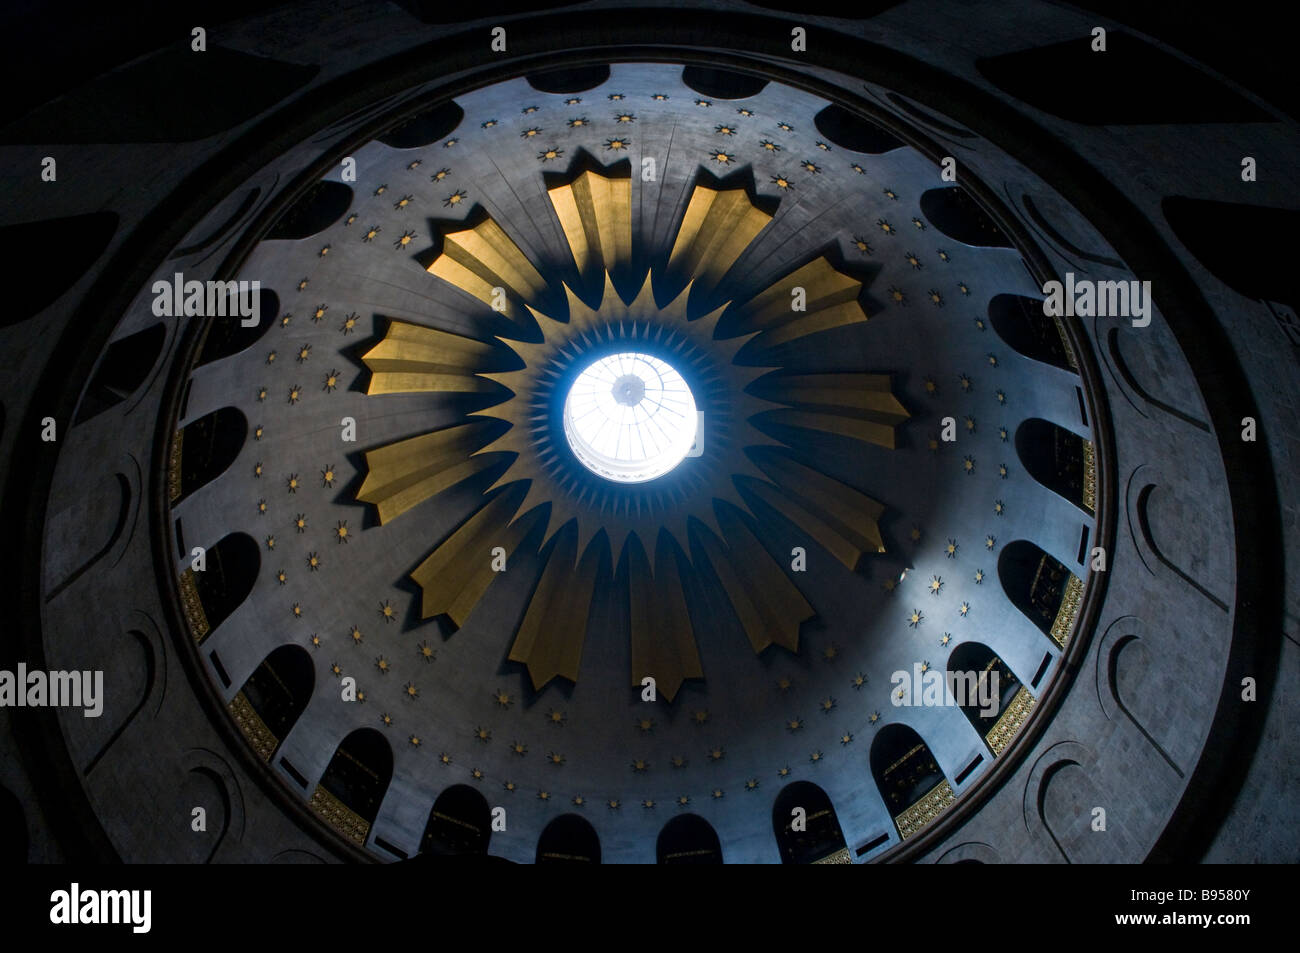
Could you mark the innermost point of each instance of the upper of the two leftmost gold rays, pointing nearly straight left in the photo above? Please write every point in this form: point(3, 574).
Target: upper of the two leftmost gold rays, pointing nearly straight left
point(417, 359)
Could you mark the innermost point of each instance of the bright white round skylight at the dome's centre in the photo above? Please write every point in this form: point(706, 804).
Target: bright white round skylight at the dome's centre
point(630, 418)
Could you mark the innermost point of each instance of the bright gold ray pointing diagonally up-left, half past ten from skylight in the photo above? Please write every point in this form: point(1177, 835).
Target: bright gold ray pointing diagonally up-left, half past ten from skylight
point(484, 258)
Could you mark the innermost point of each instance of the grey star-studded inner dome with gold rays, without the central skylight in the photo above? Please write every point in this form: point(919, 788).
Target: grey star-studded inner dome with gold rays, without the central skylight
point(426, 530)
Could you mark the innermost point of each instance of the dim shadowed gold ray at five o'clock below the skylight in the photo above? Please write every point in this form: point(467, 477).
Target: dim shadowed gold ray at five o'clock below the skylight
point(768, 604)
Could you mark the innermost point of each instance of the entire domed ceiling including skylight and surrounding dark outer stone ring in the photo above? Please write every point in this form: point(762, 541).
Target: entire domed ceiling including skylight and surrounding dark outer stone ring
point(653, 441)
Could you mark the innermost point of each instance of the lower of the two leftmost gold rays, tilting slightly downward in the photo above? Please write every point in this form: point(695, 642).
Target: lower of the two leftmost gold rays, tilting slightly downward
point(402, 475)
